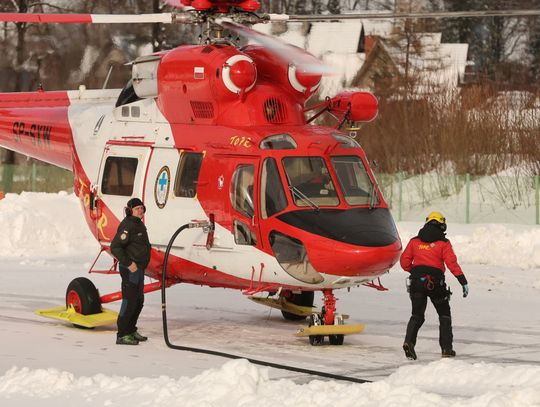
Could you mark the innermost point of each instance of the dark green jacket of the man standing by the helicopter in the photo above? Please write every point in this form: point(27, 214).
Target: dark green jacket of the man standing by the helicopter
point(131, 244)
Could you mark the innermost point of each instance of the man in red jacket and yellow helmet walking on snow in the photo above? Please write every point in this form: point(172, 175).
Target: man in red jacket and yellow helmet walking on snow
point(424, 258)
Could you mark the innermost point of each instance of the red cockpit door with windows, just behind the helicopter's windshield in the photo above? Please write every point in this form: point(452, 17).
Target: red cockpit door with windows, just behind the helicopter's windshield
point(244, 207)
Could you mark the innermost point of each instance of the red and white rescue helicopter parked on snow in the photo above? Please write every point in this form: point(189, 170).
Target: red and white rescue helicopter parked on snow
point(217, 136)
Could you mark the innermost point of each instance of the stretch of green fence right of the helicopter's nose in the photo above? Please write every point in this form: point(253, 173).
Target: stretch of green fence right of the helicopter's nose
point(463, 198)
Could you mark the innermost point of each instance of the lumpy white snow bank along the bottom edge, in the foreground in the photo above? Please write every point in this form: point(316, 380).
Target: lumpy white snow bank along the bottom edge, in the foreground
point(240, 383)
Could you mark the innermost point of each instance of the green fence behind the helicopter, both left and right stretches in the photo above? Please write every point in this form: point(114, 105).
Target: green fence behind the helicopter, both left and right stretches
point(462, 198)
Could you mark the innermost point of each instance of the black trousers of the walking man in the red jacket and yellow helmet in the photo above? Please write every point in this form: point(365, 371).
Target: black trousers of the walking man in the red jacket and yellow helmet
point(420, 290)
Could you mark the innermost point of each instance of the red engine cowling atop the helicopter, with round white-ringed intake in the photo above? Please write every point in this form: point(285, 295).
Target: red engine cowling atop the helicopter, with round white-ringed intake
point(215, 84)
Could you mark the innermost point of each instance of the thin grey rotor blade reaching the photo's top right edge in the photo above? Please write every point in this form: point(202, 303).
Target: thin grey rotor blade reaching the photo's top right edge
point(391, 15)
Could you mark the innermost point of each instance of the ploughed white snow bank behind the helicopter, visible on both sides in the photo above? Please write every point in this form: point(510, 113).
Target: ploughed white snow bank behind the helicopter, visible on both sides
point(43, 225)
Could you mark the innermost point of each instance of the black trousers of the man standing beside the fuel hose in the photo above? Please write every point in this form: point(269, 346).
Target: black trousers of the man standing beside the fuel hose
point(132, 300)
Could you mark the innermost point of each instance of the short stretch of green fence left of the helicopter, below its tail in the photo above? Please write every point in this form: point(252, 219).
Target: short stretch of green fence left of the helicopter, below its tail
point(34, 177)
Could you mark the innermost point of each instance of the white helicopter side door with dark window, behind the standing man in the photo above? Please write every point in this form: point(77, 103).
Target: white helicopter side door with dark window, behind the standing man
point(121, 177)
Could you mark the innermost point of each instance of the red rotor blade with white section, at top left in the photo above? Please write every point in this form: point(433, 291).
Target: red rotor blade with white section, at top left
point(87, 18)
